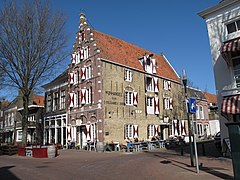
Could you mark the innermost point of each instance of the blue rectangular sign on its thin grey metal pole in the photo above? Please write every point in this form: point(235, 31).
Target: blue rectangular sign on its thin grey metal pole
point(192, 110)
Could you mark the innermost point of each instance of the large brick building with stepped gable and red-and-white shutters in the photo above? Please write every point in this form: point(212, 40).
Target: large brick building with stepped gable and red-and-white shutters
point(117, 90)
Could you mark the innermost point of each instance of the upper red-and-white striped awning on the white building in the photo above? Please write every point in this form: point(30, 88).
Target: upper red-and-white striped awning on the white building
point(230, 47)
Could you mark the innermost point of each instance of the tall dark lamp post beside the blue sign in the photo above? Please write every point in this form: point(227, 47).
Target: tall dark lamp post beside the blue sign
point(184, 81)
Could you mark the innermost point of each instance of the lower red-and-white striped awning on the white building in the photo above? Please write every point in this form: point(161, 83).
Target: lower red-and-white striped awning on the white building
point(231, 105)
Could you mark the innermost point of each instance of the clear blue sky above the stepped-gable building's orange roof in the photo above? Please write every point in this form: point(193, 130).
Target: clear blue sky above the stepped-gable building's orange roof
point(170, 27)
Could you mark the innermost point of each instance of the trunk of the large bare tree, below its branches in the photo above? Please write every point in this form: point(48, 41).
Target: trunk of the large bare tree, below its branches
point(25, 119)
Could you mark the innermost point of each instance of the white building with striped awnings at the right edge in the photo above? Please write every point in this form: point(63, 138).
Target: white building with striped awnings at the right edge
point(223, 24)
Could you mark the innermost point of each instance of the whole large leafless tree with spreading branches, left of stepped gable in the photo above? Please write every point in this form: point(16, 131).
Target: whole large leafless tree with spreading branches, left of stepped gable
point(32, 41)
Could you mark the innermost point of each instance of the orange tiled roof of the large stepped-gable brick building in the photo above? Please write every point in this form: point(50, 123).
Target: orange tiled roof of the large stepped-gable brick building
point(122, 52)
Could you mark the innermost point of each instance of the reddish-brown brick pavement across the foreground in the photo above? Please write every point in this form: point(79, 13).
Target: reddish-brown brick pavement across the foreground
point(77, 164)
